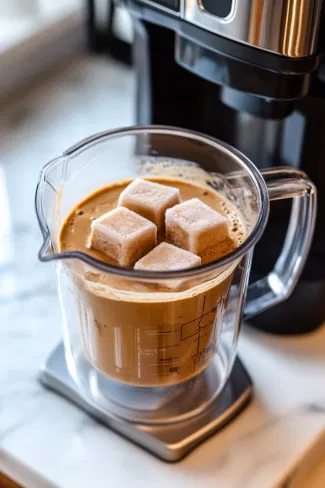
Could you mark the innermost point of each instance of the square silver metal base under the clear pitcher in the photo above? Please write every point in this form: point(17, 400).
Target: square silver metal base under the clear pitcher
point(170, 442)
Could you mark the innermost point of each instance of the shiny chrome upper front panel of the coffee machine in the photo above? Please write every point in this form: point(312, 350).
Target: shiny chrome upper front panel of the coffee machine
point(242, 21)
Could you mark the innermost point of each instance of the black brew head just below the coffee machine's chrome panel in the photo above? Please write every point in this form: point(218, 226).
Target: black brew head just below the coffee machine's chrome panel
point(264, 76)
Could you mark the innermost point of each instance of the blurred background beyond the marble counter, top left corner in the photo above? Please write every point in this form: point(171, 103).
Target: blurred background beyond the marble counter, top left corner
point(35, 35)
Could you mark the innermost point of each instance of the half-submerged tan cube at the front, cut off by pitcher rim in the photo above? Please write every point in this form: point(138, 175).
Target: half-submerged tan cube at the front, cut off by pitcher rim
point(167, 257)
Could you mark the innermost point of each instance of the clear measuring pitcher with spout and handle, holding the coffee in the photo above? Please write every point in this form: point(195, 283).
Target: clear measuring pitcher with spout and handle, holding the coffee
point(156, 347)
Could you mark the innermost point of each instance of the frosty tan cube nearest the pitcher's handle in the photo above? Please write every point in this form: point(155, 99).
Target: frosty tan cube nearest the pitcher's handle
point(195, 226)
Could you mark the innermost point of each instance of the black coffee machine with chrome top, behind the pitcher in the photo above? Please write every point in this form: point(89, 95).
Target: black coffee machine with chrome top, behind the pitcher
point(248, 72)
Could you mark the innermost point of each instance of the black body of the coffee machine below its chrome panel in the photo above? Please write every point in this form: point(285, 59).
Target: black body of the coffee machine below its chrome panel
point(187, 94)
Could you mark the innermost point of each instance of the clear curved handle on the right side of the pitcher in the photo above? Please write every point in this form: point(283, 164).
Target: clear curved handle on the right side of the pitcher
point(279, 284)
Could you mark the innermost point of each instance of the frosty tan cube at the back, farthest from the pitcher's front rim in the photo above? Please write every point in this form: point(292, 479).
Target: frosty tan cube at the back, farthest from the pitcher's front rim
point(149, 199)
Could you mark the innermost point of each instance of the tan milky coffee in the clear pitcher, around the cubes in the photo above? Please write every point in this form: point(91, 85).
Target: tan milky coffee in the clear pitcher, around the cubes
point(148, 334)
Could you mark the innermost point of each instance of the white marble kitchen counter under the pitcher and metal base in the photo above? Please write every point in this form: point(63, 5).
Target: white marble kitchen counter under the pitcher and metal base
point(47, 442)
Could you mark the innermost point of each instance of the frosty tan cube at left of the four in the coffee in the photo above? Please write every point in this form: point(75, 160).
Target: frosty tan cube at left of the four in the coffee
point(123, 235)
